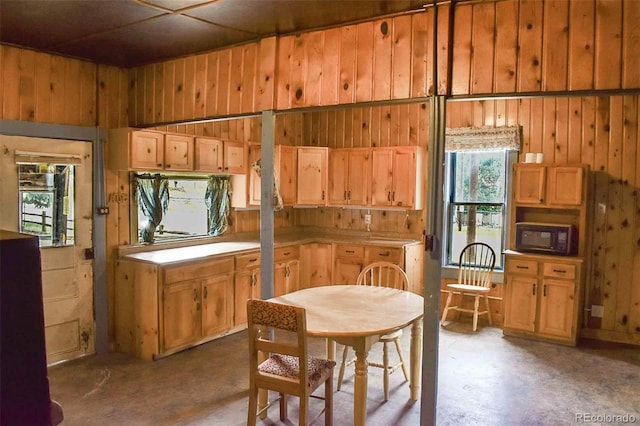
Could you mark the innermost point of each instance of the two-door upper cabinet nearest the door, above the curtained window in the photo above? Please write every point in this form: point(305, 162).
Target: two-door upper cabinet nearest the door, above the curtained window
point(147, 150)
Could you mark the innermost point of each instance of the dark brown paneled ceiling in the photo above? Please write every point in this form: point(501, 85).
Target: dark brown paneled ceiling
point(129, 33)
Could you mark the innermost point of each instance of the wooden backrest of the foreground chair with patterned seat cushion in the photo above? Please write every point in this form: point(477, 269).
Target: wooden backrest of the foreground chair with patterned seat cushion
point(265, 319)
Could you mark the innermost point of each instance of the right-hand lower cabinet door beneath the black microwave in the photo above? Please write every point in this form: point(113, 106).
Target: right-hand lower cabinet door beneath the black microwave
point(556, 307)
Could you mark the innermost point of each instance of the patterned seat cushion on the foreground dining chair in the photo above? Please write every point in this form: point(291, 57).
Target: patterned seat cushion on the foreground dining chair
point(318, 369)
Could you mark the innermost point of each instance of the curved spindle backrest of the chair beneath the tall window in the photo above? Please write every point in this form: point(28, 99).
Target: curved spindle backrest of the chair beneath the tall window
point(476, 264)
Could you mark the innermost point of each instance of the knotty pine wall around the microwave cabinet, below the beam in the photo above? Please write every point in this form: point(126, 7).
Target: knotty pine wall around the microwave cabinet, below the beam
point(602, 132)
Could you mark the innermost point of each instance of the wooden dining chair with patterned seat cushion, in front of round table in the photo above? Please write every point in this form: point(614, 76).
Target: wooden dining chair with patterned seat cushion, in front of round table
point(268, 326)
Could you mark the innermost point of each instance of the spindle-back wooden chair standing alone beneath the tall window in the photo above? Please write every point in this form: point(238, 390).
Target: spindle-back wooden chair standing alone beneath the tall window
point(475, 269)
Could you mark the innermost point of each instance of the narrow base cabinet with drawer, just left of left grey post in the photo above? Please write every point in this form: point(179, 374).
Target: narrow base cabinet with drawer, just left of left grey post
point(247, 285)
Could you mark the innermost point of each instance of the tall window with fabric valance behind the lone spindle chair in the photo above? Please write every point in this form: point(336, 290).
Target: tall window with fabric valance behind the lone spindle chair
point(478, 161)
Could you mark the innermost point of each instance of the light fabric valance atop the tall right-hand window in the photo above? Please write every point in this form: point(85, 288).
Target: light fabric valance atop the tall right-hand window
point(482, 139)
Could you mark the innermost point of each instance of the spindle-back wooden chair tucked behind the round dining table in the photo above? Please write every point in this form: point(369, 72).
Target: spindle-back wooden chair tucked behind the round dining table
point(383, 274)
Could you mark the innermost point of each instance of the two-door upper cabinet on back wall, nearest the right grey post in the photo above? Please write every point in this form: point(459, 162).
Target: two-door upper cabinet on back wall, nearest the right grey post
point(398, 177)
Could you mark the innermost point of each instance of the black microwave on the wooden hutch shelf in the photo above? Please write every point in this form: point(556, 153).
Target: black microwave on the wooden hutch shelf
point(547, 238)
